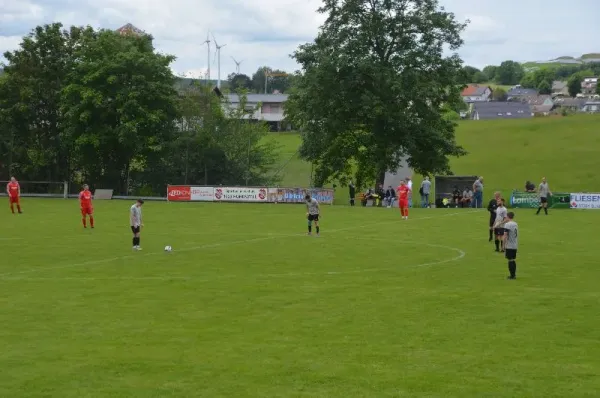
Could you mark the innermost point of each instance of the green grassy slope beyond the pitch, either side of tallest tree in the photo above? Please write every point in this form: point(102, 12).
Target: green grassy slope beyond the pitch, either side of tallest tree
point(506, 153)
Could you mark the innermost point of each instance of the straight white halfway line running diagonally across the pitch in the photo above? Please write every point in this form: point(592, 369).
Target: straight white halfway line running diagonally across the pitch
point(213, 245)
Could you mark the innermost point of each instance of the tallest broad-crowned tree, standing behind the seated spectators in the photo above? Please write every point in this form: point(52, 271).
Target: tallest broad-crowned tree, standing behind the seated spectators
point(374, 87)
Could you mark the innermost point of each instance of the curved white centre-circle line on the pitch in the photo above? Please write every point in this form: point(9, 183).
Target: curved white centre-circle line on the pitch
point(460, 256)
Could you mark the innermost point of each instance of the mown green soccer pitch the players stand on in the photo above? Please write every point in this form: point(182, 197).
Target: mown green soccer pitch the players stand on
point(248, 306)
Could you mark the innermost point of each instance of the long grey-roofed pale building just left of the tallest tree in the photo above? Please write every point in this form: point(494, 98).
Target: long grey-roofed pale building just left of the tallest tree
point(264, 107)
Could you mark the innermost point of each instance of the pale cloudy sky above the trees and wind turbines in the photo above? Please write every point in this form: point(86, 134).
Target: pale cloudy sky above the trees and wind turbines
point(265, 32)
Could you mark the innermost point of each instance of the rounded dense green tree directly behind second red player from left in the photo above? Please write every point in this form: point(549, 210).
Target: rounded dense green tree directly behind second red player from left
point(119, 107)
